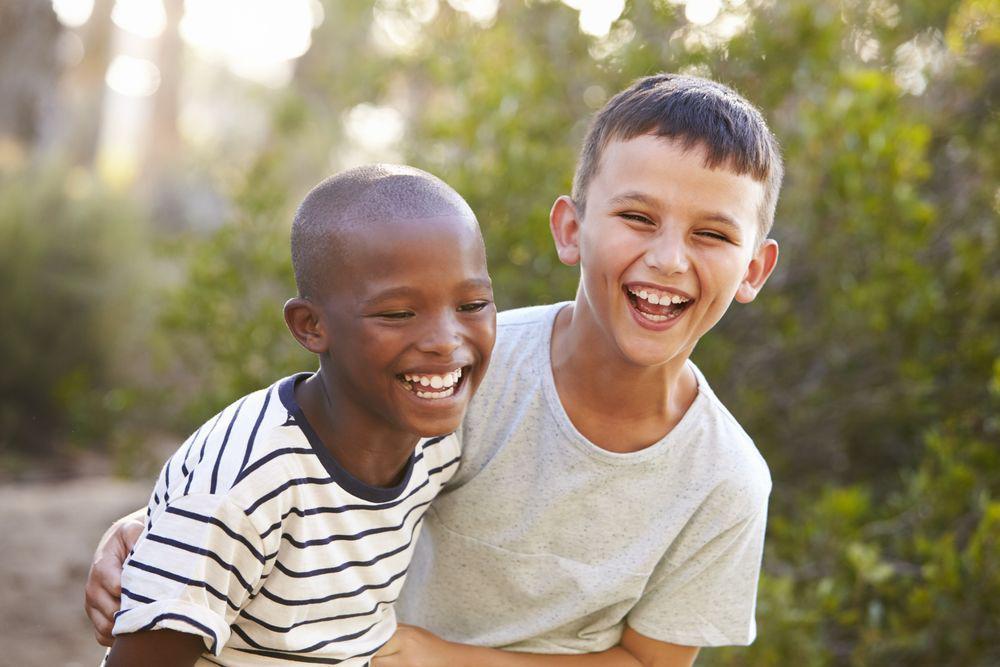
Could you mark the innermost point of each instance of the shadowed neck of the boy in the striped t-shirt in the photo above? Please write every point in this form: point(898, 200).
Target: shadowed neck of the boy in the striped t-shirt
point(373, 453)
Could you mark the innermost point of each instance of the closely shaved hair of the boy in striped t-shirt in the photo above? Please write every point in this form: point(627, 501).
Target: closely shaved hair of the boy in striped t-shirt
point(358, 197)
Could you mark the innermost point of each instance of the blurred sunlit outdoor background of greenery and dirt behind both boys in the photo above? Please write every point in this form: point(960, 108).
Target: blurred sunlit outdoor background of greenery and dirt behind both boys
point(152, 153)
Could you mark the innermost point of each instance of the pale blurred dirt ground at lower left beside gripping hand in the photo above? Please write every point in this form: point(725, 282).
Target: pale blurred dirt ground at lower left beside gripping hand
point(49, 530)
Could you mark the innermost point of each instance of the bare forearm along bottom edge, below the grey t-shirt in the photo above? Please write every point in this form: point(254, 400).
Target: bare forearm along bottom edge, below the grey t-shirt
point(412, 646)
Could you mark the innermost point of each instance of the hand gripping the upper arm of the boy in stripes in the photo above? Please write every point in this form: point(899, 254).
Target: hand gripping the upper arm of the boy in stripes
point(104, 583)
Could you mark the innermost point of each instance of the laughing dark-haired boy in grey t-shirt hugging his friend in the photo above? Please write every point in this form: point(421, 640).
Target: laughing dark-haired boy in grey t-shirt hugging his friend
point(608, 504)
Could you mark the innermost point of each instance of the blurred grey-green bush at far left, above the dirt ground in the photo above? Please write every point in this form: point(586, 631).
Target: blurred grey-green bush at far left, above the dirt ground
point(69, 281)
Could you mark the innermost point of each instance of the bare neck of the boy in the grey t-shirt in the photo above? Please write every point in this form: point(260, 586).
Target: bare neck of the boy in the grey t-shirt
point(618, 406)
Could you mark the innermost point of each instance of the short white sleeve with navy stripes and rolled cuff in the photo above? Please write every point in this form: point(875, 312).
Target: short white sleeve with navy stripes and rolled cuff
point(193, 569)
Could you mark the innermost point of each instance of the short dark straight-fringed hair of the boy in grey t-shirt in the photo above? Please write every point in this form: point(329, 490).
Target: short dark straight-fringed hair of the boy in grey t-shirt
point(695, 112)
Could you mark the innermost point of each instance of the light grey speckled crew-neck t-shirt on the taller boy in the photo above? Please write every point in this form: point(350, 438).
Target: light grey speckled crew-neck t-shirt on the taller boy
point(544, 542)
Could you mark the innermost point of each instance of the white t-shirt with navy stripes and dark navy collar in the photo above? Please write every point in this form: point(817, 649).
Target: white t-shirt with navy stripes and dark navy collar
point(260, 542)
